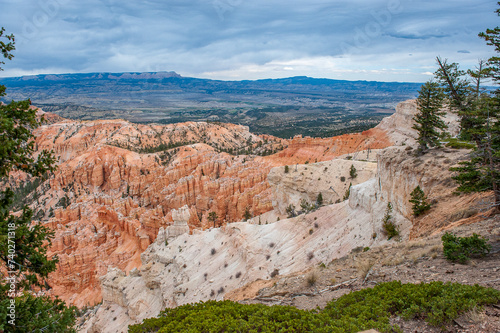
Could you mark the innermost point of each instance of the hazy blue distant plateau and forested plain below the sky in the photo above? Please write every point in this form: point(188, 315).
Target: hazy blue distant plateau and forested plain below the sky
point(295, 102)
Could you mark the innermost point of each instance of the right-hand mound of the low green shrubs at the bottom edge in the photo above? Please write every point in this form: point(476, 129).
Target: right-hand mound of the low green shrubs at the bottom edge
point(437, 302)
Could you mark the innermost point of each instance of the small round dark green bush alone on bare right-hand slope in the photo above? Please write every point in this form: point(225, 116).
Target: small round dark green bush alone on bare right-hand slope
point(461, 249)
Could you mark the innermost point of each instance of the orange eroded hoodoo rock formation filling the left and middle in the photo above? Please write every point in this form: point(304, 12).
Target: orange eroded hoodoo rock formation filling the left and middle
point(117, 183)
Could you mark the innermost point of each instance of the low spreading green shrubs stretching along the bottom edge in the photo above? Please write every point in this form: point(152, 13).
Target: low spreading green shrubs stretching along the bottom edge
point(436, 302)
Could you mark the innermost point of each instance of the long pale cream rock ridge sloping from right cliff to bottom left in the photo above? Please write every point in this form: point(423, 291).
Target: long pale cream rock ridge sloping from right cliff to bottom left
point(208, 264)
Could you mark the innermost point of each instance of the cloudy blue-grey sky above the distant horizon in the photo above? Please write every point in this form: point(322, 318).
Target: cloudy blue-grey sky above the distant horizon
point(383, 40)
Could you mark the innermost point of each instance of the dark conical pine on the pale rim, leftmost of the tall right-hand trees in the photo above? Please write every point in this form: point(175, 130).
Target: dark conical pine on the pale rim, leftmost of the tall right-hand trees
point(428, 119)
